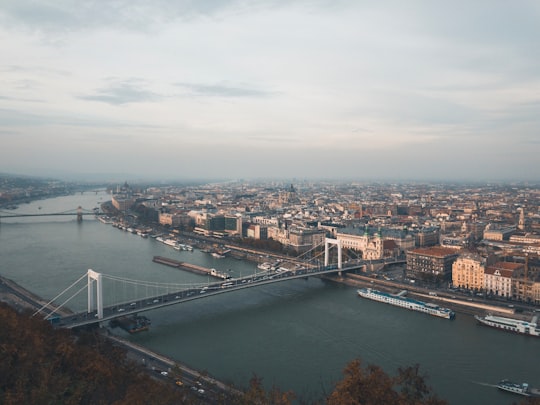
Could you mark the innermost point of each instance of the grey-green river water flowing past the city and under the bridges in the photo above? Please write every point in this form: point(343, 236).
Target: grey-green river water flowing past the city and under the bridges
point(298, 335)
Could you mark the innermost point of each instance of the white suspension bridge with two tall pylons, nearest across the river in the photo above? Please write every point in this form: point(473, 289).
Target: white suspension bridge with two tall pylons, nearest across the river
point(110, 297)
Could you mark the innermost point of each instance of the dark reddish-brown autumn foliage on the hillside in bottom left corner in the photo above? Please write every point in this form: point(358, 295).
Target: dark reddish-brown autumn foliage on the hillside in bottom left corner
point(39, 365)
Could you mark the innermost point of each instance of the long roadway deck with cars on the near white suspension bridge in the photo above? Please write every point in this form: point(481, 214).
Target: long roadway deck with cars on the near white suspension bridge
point(201, 291)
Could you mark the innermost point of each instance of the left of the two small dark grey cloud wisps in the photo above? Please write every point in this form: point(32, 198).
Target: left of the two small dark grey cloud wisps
point(123, 92)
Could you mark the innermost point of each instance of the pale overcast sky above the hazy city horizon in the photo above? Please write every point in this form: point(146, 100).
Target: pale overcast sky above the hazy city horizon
point(337, 89)
